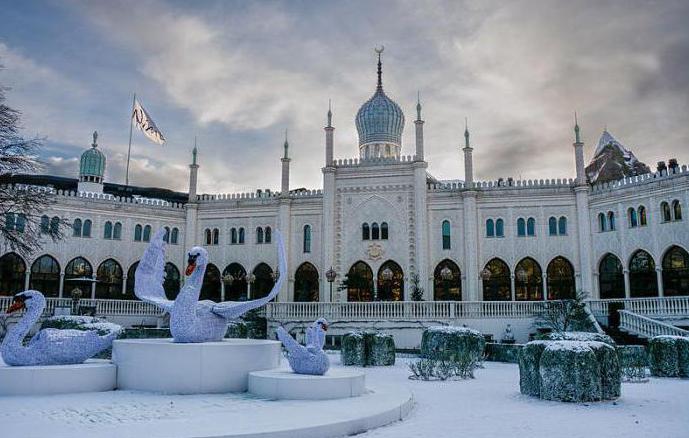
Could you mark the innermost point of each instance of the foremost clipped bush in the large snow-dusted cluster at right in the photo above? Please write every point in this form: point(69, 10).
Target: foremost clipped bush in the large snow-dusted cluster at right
point(569, 372)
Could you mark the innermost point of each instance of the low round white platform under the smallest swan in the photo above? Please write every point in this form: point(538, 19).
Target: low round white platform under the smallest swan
point(285, 384)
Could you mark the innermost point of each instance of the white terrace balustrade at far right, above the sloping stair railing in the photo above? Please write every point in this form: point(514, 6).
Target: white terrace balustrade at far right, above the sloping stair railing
point(665, 306)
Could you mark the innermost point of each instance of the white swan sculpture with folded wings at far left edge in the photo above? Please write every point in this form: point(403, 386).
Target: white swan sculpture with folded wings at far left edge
point(48, 346)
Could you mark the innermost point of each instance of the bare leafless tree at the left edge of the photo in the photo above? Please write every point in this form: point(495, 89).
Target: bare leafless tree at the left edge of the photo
point(22, 228)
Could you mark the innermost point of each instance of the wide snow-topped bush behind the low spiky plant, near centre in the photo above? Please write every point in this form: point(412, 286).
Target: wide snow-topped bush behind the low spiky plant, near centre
point(445, 341)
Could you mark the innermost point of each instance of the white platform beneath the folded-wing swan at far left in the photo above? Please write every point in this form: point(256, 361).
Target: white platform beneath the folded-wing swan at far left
point(94, 375)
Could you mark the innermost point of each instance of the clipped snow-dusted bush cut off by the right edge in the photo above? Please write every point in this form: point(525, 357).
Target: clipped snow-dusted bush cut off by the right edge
point(669, 356)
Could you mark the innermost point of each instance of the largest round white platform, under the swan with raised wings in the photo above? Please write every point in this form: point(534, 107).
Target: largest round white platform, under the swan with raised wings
point(161, 365)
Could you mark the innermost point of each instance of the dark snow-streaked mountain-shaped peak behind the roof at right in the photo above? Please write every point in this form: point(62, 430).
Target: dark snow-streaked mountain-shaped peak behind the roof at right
point(613, 161)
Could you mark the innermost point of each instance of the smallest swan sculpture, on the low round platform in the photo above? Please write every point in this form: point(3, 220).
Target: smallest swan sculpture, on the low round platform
point(309, 359)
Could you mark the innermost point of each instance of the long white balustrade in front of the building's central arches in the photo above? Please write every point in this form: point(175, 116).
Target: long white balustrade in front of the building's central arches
point(403, 310)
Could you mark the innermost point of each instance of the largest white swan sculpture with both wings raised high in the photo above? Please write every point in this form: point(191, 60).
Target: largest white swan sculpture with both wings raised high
point(191, 320)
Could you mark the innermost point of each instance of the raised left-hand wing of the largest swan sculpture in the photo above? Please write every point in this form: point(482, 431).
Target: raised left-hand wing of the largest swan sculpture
point(148, 282)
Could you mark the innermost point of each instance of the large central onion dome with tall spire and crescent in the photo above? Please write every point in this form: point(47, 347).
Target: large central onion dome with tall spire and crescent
point(380, 123)
